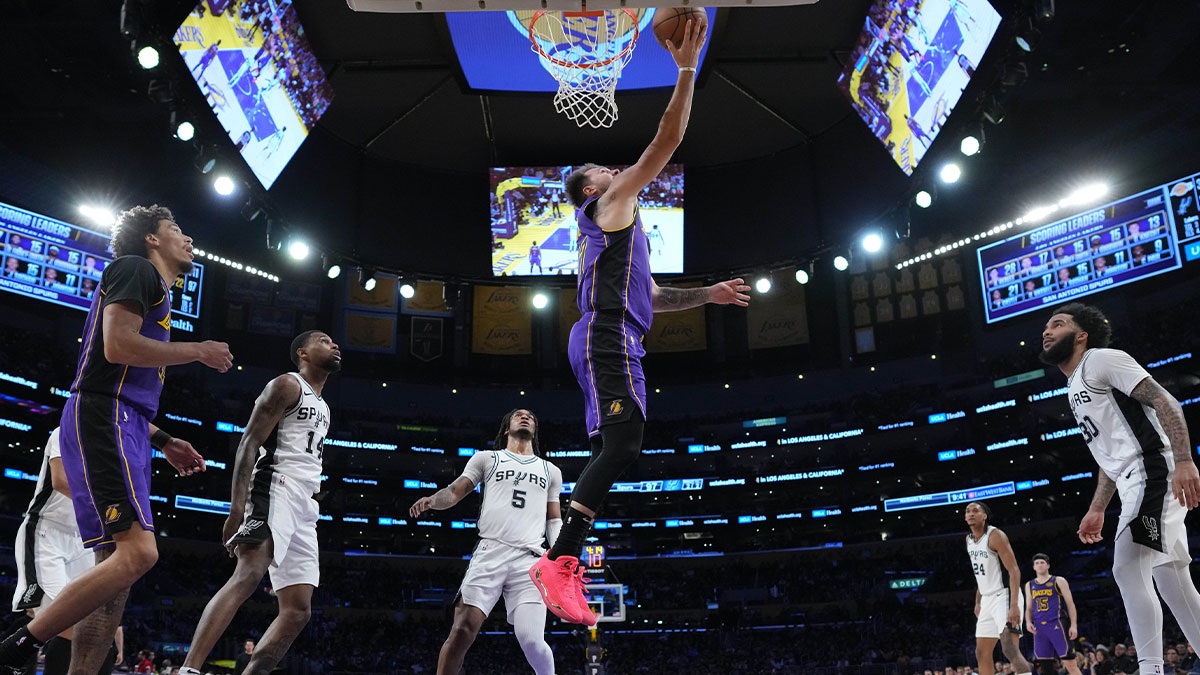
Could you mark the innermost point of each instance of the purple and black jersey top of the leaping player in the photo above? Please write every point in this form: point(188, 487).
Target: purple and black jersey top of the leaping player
point(615, 272)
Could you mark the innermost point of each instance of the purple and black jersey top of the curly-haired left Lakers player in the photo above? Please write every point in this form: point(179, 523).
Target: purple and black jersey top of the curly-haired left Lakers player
point(135, 282)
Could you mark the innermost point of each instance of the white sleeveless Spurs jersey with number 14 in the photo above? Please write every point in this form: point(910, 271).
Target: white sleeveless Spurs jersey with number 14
point(296, 447)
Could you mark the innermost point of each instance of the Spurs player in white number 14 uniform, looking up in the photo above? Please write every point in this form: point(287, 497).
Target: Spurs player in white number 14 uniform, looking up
point(273, 518)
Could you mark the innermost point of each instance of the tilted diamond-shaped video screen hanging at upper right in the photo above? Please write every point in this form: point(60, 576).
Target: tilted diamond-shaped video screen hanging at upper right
point(910, 68)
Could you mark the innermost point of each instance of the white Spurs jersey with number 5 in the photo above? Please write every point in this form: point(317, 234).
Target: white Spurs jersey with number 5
point(517, 491)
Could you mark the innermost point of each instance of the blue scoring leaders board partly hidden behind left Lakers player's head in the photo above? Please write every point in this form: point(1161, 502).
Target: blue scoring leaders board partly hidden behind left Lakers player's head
point(62, 264)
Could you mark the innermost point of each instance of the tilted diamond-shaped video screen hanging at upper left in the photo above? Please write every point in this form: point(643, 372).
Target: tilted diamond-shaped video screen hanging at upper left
point(254, 65)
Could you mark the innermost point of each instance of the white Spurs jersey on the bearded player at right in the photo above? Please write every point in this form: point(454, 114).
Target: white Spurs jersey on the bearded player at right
point(1119, 431)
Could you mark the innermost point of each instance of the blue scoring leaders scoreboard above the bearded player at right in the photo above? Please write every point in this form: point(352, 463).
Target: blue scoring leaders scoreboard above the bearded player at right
point(1135, 238)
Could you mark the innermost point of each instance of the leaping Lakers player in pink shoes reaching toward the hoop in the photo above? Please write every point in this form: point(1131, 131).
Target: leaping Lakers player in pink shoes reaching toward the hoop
point(617, 300)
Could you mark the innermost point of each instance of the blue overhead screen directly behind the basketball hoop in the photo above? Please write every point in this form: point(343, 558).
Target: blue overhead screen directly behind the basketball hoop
point(495, 52)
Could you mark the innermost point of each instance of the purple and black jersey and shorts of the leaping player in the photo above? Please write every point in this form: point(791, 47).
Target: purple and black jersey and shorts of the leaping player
point(615, 296)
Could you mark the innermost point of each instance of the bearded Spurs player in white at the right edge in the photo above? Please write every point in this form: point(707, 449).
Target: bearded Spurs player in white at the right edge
point(1139, 438)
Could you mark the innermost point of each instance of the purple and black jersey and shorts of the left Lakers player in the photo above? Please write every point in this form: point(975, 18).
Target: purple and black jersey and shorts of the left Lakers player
point(106, 422)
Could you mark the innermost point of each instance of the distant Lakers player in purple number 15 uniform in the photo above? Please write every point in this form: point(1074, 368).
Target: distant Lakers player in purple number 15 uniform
point(1048, 601)
